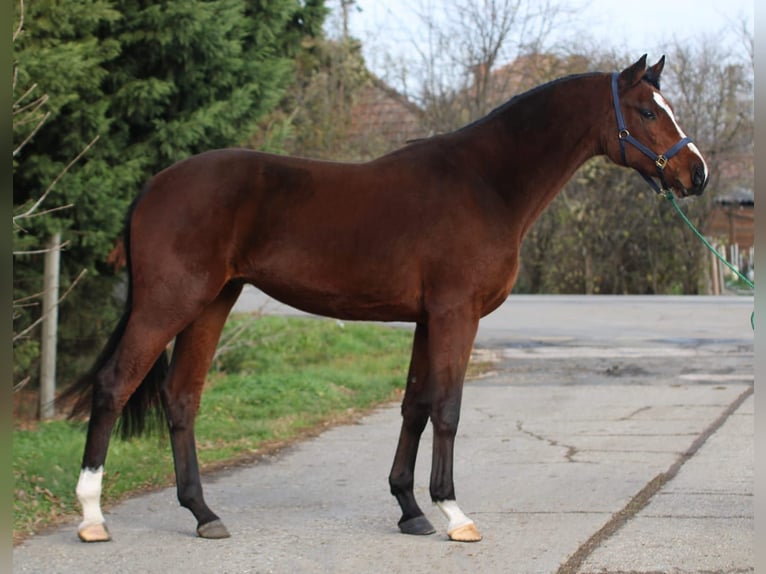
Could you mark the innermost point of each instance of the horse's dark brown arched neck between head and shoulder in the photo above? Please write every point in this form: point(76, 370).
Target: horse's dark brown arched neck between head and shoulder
point(530, 149)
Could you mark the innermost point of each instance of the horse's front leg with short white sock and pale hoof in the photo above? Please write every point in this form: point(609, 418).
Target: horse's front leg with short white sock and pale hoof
point(450, 343)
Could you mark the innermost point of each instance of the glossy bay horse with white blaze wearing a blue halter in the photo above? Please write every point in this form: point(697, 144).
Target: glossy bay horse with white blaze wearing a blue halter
point(430, 233)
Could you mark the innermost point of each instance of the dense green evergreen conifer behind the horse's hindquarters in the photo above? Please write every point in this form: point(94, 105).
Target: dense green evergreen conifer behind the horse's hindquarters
point(157, 82)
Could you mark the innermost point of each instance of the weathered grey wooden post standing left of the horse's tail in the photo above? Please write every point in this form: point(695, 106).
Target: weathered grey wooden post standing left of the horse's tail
point(49, 327)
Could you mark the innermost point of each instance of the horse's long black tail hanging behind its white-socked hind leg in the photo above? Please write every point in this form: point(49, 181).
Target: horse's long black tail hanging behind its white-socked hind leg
point(143, 411)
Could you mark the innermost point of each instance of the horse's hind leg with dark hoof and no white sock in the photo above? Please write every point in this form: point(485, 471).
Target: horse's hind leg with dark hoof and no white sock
point(192, 354)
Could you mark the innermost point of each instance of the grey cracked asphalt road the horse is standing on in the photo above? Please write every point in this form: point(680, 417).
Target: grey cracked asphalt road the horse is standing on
point(614, 435)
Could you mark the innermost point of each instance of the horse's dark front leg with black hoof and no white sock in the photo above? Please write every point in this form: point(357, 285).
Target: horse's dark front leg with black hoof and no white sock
point(415, 410)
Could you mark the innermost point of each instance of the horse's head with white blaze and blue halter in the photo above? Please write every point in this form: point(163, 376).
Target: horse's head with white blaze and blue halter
point(647, 136)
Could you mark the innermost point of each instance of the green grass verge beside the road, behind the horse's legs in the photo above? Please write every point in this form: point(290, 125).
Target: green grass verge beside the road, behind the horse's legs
point(275, 379)
